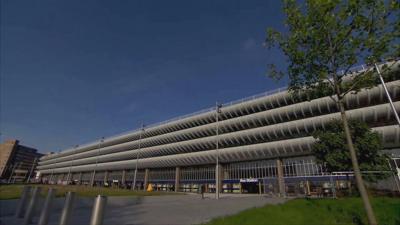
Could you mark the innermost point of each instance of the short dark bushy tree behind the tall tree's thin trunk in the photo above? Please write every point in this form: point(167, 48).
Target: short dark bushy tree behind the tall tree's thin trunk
point(330, 149)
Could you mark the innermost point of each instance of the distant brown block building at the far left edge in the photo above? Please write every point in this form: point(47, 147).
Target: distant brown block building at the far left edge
point(17, 162)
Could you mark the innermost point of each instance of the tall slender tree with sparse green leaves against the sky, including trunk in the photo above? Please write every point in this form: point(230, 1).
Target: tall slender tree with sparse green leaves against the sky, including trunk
point(324, 39)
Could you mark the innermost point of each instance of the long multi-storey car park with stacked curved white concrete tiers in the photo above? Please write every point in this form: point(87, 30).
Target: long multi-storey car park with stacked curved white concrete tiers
point(259, 144)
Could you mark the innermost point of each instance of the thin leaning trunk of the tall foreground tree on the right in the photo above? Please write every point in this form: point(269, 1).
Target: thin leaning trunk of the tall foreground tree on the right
point(356, 168)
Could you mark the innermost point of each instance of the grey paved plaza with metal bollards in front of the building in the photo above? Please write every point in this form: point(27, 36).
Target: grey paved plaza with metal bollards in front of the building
point(154, 210)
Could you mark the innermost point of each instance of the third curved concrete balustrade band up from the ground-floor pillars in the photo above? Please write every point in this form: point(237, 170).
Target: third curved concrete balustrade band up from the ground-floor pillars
point(275, 116)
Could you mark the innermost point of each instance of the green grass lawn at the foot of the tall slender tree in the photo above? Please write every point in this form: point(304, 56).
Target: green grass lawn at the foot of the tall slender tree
point(317, 211)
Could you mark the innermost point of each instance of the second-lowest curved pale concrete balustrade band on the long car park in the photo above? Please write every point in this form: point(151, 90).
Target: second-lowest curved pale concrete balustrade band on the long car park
point(285, 130)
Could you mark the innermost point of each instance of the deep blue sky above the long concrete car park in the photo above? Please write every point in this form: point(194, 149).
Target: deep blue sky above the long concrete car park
point(74, 71)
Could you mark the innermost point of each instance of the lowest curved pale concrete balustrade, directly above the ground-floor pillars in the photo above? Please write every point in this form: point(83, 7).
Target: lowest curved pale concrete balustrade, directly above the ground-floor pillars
point(283, 148)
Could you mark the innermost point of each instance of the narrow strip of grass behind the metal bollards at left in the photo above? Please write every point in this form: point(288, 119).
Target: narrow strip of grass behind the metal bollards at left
point(14, 191)
